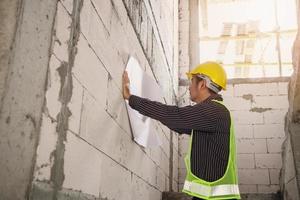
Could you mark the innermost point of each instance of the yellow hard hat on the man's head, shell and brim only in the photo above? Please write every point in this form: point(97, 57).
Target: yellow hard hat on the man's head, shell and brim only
point(214, 71)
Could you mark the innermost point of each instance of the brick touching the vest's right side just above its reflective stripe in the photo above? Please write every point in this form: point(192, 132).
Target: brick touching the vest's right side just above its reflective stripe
point(253, 176)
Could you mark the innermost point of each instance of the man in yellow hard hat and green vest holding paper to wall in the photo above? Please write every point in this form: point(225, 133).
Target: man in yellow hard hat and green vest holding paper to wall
point(211, 159)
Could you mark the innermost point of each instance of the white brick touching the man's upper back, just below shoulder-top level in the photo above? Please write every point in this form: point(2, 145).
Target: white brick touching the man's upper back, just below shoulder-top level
point(246, 117)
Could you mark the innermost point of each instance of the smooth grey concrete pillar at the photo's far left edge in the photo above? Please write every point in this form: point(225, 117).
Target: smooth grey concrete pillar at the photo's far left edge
point(25, 39)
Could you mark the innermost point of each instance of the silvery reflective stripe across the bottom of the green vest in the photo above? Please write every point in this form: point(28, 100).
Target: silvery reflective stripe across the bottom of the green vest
point(218, 190)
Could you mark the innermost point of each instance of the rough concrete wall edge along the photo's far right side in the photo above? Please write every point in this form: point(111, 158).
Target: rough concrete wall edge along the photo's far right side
point(290, 178)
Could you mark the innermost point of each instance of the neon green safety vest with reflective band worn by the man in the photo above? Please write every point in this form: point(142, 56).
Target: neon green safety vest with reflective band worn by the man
point(224, 188)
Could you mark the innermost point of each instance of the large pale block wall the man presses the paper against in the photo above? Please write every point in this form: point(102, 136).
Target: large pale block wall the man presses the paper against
point(85, 143)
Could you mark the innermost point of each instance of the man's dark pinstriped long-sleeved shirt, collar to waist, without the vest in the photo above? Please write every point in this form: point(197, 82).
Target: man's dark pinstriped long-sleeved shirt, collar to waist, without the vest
point(211, 124)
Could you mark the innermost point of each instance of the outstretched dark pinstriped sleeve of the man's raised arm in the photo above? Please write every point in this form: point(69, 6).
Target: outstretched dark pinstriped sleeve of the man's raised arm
point(202, 116)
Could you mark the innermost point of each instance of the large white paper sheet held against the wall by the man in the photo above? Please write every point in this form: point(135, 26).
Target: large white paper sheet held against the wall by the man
point(142, 85)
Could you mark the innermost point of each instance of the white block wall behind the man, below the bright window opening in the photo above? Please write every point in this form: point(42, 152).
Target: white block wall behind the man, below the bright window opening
point(258, 111)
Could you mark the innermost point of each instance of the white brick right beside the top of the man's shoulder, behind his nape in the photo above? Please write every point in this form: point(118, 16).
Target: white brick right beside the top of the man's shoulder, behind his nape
point(237, 103)
